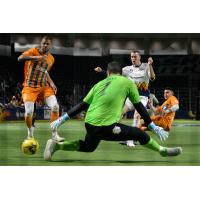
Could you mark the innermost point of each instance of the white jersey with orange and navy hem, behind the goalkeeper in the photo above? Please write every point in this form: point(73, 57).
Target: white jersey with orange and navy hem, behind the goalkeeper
point(140, 76)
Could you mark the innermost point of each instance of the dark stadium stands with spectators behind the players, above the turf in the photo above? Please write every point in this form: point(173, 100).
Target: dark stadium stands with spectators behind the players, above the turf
point(176, 63)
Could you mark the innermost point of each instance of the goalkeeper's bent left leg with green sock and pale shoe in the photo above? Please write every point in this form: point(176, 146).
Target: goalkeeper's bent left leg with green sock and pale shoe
point(89, 144)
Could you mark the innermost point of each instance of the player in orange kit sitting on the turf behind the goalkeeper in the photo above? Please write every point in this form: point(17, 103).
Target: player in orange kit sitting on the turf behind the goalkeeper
point(164, 114)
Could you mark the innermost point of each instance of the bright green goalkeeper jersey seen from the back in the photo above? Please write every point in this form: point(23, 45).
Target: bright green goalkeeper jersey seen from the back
point(107, 98)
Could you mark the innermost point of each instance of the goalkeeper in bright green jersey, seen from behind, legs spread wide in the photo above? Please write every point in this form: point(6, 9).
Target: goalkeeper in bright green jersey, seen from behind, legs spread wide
point(104, 104)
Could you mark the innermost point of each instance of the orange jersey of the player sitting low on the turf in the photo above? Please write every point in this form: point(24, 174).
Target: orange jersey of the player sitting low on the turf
point(169, 117)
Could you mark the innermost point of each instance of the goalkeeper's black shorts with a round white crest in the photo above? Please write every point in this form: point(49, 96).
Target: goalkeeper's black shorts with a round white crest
point(114, 132)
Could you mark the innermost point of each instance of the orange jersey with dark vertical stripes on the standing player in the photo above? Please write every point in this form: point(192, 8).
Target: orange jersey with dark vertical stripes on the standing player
point(34, 71)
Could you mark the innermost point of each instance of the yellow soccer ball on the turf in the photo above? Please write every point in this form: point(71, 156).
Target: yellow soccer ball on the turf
point(30, 146)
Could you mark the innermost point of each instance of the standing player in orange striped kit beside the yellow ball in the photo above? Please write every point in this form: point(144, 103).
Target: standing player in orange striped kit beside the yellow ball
point(37, 83)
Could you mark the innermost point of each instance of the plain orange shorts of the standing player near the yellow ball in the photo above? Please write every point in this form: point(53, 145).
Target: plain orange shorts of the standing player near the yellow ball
point(32, 94)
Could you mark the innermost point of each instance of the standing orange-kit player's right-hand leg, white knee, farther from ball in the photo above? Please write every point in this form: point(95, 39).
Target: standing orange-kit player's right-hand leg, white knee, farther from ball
point(52, 103)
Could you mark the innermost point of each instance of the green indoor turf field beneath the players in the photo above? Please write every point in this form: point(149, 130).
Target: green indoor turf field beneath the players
point(185, 133)
